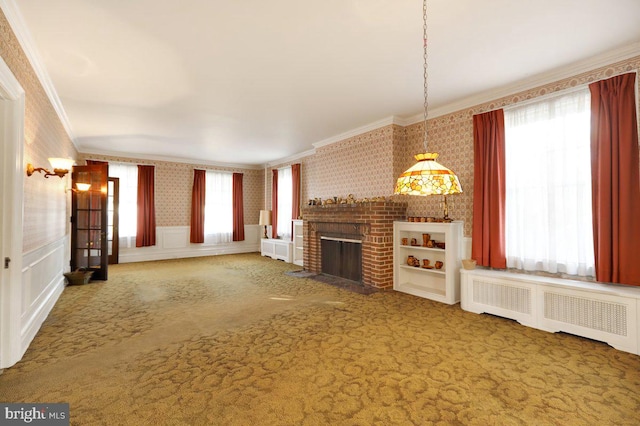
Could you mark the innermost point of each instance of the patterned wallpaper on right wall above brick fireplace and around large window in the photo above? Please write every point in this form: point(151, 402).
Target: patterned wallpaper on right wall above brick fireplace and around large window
point(368, 164)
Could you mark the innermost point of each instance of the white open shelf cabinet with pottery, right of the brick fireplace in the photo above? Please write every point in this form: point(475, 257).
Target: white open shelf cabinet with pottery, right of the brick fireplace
point(439, 282)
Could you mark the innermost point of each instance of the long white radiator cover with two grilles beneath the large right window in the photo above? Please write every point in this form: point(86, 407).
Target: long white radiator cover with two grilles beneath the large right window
point(608, 313)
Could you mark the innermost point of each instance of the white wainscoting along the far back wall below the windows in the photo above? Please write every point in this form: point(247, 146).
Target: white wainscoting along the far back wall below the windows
point(172, 242)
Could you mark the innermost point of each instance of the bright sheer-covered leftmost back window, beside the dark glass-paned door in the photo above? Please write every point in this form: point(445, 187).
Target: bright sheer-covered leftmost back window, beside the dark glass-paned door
point(128, 201)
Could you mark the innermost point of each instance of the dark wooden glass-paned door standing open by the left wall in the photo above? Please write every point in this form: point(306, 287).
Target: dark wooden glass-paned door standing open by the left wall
point(89, 221)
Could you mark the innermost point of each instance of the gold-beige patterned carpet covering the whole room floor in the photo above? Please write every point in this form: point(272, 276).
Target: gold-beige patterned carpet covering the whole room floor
point(233, 340)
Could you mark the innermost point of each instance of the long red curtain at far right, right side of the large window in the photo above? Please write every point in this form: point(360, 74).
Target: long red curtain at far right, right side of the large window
point(615, 180)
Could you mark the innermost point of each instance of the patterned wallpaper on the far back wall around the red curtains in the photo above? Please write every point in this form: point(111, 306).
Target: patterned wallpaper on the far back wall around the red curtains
point(173, 188)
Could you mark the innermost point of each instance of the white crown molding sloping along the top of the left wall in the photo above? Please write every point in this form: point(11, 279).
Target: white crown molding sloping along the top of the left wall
point(19, 28)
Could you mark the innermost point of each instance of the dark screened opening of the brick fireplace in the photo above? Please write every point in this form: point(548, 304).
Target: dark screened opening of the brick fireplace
point(342, 257)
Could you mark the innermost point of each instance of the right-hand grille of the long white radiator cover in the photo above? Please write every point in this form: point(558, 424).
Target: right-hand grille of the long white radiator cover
point(593, 314)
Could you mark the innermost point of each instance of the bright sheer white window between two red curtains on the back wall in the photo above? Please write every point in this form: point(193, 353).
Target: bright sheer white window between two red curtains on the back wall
point(218, 208)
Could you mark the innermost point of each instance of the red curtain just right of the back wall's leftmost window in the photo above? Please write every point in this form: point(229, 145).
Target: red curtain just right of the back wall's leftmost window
point(146, 233)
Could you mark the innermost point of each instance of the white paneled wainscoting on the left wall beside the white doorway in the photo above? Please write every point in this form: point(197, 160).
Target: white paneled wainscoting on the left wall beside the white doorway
point(42, 285)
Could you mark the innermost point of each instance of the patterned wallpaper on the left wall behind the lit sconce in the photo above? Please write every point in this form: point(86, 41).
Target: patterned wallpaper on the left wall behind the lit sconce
point(46, 205)
